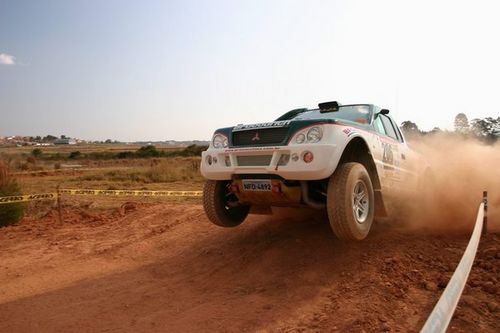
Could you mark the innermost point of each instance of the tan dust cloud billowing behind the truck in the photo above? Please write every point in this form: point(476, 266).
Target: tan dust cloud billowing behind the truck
point(462, 169)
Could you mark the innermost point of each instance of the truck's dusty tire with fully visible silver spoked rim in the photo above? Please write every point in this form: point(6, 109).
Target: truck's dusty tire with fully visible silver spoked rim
point(350, 201)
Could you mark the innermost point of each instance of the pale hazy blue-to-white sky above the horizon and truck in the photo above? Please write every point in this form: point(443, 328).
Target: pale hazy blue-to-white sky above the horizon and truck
point(161, 70)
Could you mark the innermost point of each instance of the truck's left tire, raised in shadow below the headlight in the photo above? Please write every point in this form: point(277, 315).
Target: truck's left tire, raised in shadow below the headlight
point(222, 206)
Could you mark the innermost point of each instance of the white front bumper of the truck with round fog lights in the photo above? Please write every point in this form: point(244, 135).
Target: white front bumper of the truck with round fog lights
point(268, 160)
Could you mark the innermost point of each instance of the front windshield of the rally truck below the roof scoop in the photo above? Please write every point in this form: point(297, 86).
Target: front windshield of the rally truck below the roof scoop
point(357, 113)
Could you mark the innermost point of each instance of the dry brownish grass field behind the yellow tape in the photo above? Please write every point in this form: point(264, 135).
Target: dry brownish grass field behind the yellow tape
point(41, 174)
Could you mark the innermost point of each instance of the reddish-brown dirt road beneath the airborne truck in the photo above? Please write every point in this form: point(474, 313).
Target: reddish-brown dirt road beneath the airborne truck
point(165, 268)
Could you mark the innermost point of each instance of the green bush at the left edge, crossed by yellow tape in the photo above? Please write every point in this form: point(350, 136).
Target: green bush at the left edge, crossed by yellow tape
point(12, 212)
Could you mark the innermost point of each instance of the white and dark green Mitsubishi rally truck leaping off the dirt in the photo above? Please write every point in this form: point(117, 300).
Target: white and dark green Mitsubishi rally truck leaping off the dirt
point(351, 160)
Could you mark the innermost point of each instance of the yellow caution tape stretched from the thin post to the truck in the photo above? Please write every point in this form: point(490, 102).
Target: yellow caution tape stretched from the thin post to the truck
point(137, 193)
